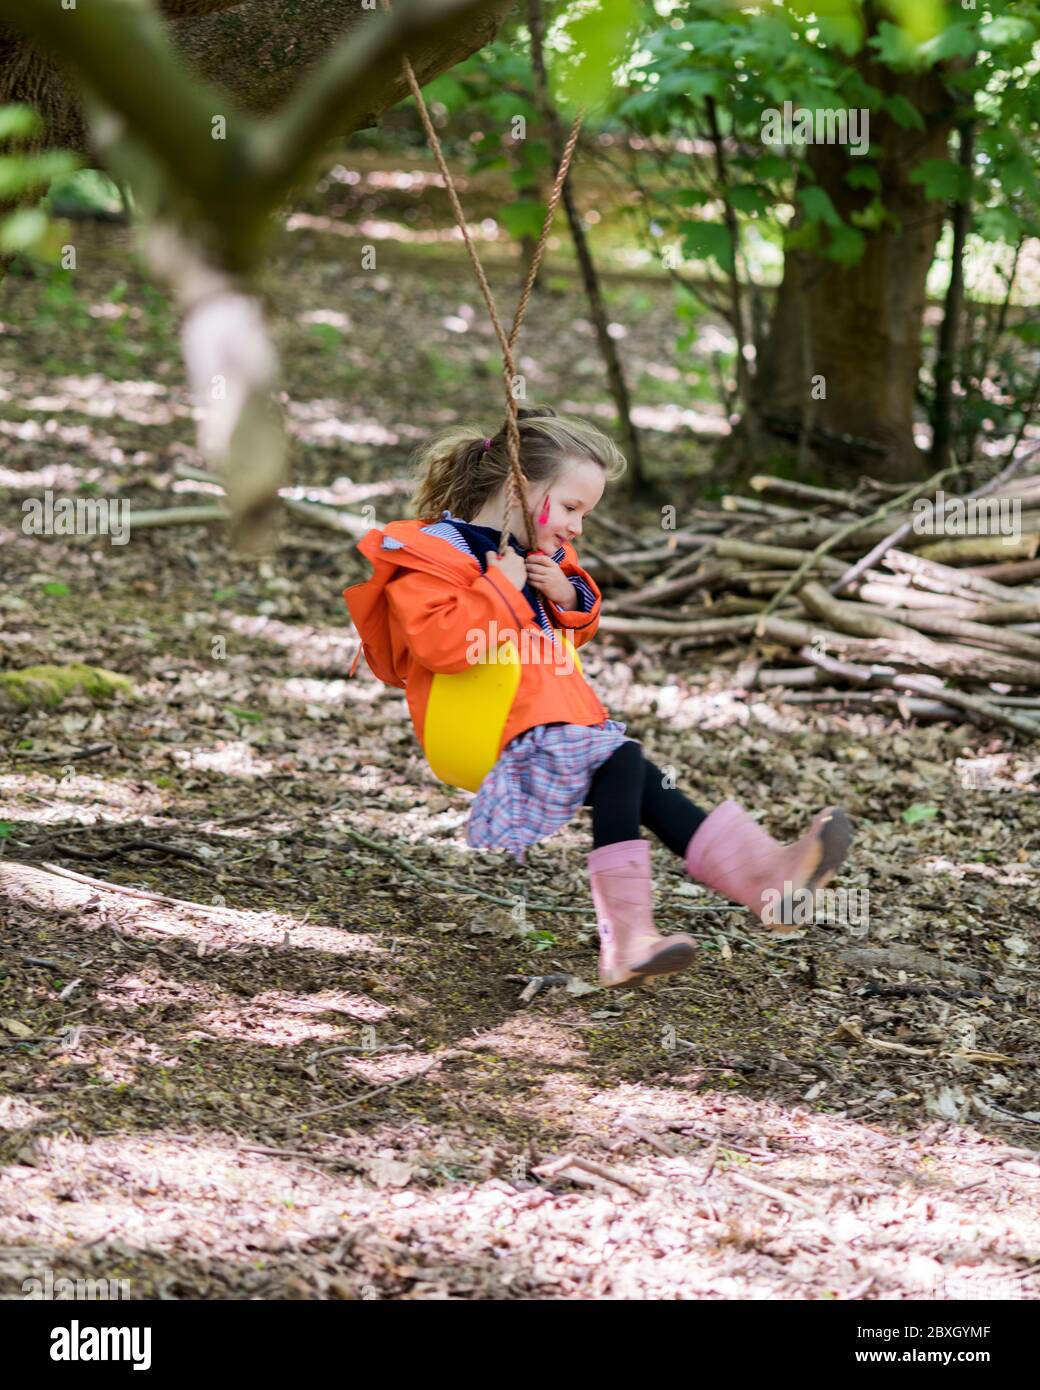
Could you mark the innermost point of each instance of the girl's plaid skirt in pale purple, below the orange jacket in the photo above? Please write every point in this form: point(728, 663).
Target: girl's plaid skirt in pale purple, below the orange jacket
point(539, 783)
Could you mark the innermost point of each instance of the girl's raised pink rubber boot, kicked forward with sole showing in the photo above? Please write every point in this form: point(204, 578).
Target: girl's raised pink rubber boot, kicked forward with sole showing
point(735, 856)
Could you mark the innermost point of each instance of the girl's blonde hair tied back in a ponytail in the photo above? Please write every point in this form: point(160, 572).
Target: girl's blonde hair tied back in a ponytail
point(458, 475)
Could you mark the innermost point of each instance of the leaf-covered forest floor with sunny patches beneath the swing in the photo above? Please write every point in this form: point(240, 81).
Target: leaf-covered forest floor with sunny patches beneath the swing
point(266, 1028)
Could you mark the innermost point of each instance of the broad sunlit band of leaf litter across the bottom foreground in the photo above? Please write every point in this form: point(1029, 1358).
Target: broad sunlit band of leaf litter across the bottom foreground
point(799, 1206)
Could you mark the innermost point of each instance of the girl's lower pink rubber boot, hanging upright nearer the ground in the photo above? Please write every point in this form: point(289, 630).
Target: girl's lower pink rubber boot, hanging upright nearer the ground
point(631, 946)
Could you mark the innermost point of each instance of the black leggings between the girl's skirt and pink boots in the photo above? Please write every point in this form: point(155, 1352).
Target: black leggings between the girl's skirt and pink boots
point(628, 792)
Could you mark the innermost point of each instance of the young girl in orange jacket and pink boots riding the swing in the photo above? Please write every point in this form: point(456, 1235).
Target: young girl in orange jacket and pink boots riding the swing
point(439, 583)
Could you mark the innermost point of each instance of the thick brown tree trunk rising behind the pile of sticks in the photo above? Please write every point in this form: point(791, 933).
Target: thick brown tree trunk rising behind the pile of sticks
point(864, 320)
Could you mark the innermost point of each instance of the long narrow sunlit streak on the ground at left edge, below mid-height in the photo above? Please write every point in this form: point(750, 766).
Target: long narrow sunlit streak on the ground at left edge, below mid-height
point(212, 929)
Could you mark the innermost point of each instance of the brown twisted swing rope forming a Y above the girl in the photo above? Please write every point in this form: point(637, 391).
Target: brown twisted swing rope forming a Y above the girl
point(515, 493)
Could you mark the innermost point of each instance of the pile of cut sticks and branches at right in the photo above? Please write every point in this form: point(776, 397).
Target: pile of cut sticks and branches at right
point(843, 597)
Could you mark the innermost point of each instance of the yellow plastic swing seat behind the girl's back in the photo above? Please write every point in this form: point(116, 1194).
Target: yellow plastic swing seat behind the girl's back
point(466, 715)
